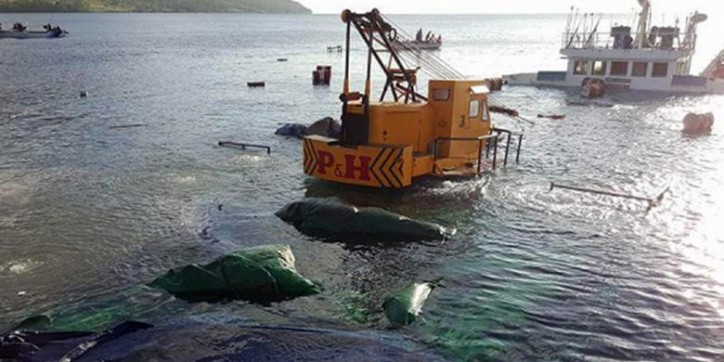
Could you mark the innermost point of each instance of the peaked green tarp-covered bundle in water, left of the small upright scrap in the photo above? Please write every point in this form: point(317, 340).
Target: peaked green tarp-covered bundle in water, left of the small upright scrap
point(262, 273)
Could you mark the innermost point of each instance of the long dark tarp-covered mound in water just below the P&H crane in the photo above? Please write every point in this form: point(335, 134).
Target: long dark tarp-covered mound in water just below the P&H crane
point(331, 217)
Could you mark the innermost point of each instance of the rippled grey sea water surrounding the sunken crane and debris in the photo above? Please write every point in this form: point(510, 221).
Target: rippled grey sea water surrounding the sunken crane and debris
point(88, 213)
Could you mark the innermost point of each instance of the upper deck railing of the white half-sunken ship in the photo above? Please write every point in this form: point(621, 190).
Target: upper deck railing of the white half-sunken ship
point(598, 40)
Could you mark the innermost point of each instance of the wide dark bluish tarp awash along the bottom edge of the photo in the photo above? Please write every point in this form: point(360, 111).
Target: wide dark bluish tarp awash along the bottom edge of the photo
point(219, 337)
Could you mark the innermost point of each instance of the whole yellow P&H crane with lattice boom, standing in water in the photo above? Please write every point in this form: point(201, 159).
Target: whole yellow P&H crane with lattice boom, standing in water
point(388, 143)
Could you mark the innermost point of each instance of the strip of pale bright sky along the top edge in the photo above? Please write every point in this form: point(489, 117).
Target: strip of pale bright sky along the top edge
point(509, 6)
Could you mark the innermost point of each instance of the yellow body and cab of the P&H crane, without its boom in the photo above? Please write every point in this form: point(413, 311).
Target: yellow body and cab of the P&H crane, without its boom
point(387, 144)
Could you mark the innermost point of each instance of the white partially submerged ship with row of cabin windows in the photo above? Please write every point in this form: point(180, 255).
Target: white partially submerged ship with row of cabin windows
point(652, 58)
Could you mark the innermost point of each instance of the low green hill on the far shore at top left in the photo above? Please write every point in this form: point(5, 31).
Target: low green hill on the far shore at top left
point(201, 6)
